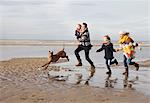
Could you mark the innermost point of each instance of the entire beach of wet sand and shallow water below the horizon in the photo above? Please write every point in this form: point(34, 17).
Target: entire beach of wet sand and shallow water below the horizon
point(23, 80)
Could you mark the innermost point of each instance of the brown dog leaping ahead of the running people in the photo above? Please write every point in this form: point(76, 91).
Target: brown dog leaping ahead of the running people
point(55, 58)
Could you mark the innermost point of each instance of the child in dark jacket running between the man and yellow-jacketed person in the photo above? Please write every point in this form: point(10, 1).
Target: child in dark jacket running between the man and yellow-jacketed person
point(108, 47)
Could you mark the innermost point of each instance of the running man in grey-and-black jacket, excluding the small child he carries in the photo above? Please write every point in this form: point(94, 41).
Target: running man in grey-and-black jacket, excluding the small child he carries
point(85, 44)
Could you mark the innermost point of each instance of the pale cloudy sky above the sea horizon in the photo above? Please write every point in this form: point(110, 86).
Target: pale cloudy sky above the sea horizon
point(57, 19)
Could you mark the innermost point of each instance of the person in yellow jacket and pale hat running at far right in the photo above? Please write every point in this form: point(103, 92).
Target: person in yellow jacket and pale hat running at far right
point(128, 46)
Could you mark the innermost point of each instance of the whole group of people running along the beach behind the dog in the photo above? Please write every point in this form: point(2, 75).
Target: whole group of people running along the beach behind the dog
point(127, 45)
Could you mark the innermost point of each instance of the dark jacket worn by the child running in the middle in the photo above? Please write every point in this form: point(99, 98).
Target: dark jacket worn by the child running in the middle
point(108, 50)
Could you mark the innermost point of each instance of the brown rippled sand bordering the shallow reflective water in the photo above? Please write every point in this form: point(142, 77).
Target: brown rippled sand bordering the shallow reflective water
point(21, 82)
